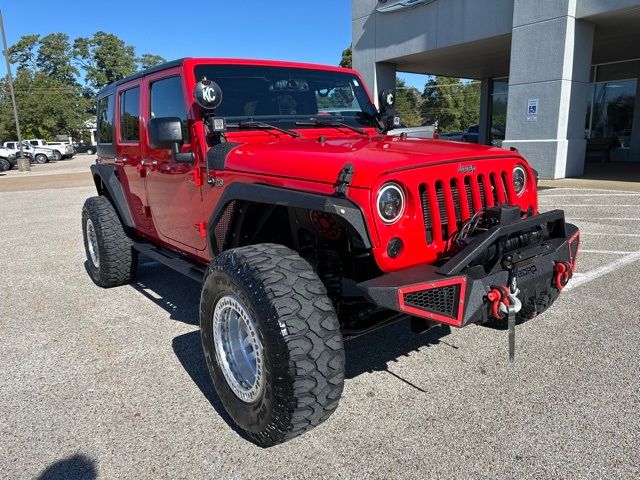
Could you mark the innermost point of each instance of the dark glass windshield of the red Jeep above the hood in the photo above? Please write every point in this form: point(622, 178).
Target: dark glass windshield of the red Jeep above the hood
point(284, 96)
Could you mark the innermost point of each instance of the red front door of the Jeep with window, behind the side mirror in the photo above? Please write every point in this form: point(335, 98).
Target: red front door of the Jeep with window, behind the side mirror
point(174, 194)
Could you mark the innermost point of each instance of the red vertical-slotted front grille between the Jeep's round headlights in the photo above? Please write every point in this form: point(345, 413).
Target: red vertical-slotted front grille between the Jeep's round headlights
point(447, 204)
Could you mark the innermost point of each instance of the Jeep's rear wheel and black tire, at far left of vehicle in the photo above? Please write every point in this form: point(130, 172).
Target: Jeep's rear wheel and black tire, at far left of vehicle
point(111, 259)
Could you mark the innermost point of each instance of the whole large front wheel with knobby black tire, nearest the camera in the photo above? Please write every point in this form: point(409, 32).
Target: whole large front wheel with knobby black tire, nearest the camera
point(275, 300)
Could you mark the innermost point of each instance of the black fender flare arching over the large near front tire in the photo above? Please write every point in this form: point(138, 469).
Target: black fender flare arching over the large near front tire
point(342, 207)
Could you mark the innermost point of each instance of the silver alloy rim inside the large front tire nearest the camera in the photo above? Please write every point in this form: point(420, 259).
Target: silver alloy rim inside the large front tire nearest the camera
point(239, 351)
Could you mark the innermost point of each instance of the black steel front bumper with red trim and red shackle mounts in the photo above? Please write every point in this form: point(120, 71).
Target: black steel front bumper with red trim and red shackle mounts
point(455, 292)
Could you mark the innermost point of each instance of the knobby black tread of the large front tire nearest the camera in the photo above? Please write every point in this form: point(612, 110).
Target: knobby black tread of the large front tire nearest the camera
point(308, 362)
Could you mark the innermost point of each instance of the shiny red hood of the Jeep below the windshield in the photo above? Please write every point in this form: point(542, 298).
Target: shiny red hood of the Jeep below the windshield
point(309, 159)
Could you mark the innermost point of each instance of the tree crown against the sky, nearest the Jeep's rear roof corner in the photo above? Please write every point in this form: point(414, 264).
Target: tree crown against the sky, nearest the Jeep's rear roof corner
point(105, 58)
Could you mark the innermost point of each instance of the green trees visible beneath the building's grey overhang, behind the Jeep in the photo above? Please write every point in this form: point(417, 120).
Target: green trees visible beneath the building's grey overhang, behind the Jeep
point(450, 102)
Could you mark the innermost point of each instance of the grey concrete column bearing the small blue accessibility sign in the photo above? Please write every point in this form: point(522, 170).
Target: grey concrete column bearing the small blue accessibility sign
point(550, 62)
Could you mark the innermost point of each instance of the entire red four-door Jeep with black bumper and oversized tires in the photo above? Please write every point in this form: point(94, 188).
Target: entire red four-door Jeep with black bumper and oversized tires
point(307, 224)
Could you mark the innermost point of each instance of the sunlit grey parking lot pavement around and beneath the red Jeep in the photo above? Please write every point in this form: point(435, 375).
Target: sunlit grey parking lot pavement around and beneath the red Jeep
point(113, 381)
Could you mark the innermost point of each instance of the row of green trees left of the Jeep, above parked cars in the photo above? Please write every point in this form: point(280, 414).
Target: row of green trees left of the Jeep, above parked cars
point(57, 78)
